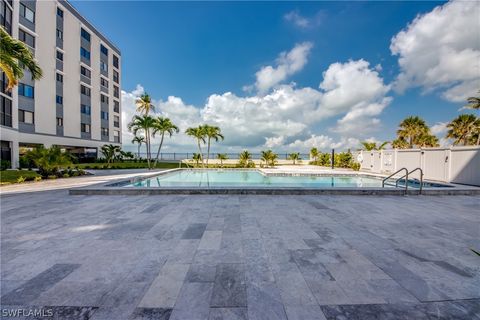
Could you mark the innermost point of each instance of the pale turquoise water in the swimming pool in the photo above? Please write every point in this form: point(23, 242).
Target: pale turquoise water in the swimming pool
point(253, 179)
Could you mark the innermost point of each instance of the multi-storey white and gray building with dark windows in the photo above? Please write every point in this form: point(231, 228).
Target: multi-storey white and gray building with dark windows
point(77, 104)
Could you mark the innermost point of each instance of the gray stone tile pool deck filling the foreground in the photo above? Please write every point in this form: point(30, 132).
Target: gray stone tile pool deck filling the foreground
point(241, 256)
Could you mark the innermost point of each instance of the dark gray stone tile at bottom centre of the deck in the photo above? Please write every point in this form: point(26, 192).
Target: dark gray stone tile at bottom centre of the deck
point(229, 289)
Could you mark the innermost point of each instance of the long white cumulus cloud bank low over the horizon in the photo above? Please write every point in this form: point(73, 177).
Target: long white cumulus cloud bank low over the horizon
point(287, 116)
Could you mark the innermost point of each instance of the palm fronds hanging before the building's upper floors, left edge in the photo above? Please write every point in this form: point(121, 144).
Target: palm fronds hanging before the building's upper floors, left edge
point(15, 56)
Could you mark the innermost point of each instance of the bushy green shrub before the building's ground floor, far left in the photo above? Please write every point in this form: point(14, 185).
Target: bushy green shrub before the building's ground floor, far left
point(48, 160)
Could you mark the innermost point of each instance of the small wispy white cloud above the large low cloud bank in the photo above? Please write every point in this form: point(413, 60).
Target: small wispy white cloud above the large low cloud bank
point(288, 63)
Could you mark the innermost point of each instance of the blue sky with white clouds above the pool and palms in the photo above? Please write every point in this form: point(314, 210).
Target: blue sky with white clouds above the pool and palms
point(289, 76)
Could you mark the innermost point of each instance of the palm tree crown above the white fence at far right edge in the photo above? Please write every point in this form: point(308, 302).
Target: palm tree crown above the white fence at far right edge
point(463, 128)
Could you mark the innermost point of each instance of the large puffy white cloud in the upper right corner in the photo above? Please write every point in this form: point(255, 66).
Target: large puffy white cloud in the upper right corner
point(441, 50)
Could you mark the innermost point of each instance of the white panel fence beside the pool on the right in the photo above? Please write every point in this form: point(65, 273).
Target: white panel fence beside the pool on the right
point(456, 164)
